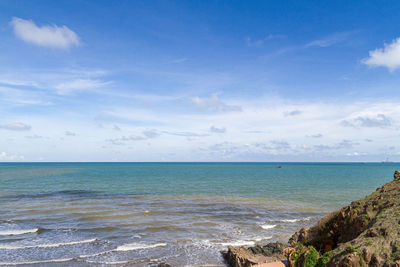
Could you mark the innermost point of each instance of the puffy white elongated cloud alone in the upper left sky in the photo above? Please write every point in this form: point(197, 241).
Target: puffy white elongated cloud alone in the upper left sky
point(48, 36)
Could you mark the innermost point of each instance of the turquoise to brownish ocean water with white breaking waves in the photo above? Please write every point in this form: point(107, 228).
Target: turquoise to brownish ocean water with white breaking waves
point(183, 214)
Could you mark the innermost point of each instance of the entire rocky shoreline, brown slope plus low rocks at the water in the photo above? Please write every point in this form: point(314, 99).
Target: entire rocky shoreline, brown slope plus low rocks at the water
point(364, 233)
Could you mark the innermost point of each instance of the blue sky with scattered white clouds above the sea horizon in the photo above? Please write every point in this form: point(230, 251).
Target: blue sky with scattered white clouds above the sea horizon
point(199, 80)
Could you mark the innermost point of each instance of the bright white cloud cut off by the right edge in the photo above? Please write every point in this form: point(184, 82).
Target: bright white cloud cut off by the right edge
point(388, 57)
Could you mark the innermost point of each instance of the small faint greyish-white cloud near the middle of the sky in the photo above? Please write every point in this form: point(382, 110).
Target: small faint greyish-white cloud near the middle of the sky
point(213, 103)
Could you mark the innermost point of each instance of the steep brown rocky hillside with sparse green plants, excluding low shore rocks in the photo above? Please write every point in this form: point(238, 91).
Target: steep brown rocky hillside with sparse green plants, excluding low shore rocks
point(364, 233)
